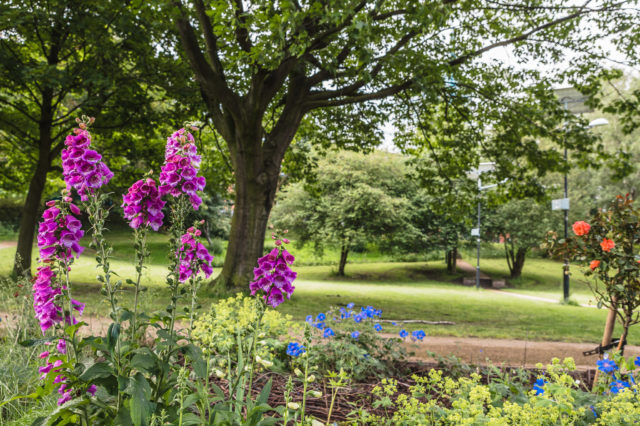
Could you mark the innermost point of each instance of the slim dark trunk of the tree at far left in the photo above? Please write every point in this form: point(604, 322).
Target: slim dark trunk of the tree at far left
point(29, 217)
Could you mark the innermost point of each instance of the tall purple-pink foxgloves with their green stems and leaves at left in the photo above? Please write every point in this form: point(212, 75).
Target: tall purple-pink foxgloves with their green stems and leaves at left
point(122, 378)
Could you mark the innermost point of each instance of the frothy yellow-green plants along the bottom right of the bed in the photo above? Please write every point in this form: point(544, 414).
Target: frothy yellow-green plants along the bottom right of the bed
point(441, 400)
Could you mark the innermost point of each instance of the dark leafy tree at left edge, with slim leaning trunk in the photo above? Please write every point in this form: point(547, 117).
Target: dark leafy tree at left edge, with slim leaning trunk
point(60, 59)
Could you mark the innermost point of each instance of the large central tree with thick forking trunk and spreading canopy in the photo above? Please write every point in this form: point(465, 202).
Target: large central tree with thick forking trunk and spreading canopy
point(265, 67)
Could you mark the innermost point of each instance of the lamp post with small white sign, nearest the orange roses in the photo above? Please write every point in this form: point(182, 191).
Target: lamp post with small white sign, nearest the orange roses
point(574, 102)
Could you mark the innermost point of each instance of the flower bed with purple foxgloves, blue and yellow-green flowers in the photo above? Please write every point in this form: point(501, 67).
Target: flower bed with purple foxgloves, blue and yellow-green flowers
point(243, 362)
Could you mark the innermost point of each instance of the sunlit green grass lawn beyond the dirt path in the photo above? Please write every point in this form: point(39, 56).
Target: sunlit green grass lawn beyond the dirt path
point(417, 290)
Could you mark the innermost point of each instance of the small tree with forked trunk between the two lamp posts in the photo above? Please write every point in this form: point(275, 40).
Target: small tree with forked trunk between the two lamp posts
point(521, 225)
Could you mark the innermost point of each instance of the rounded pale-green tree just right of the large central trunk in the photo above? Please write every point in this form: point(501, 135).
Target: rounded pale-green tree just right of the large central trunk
point(356, 198)
